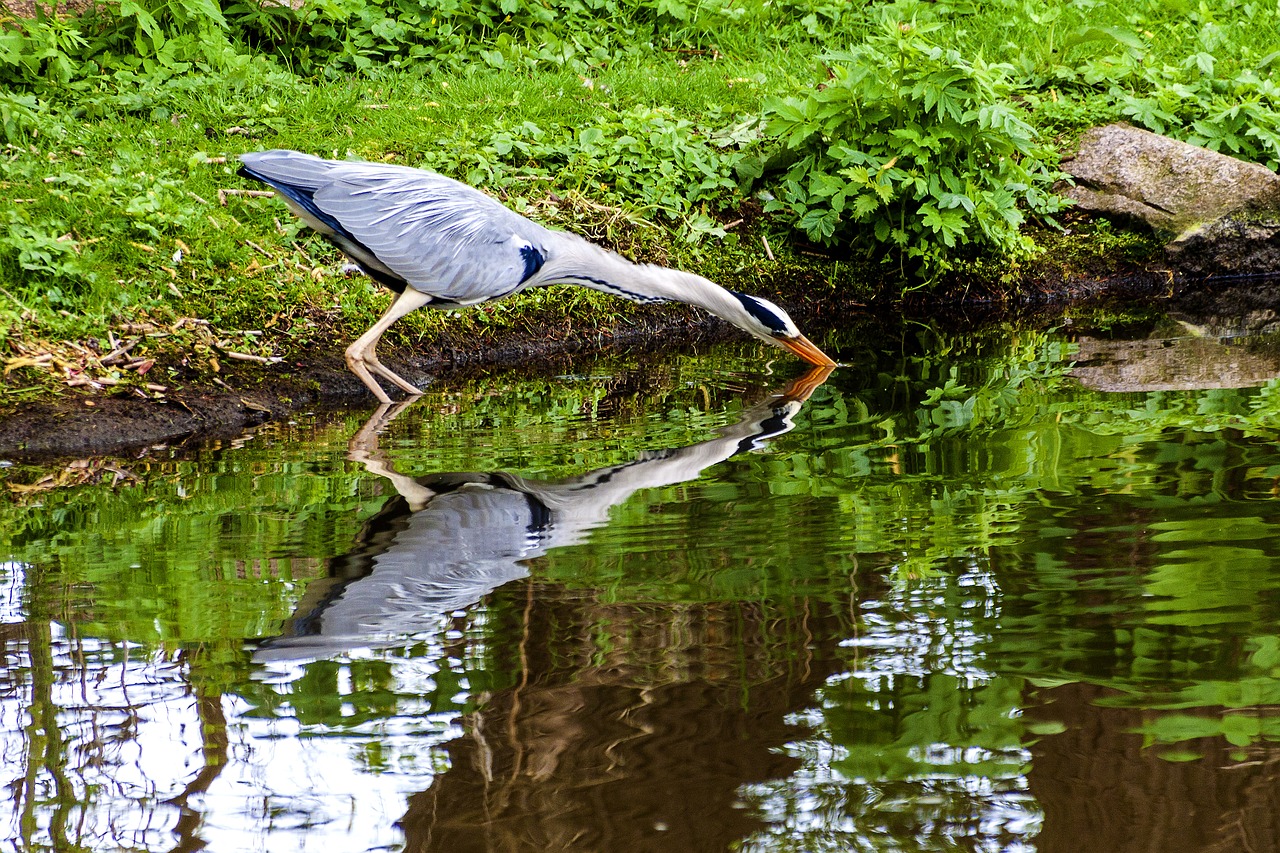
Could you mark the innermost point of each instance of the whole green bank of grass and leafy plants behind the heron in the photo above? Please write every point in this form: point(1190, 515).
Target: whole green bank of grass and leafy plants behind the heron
point(877, 150)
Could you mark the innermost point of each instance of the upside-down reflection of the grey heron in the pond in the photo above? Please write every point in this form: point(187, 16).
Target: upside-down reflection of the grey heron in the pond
point(449, 540)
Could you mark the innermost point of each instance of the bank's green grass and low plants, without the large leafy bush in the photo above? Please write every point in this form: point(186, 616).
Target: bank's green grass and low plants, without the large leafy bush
point(644, 135)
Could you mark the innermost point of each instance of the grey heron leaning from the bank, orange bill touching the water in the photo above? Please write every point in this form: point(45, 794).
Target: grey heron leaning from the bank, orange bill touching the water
point(438, 243)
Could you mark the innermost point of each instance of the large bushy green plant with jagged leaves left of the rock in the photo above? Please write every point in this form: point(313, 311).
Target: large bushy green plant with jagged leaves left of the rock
point(912, 150)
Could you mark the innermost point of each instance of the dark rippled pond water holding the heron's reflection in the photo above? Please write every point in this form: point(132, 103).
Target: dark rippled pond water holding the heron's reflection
point(982, 591)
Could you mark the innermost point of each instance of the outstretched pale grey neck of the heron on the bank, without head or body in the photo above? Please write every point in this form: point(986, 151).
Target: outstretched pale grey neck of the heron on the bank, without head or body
point(588, 266)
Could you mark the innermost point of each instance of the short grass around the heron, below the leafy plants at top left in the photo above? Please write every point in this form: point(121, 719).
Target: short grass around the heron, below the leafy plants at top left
point(148, 185)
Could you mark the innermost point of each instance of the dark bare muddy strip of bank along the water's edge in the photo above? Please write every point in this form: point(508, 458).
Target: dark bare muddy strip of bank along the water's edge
point(83, 425)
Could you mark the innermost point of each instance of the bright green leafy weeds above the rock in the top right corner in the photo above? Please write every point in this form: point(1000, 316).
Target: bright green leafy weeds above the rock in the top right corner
point(1197, 71)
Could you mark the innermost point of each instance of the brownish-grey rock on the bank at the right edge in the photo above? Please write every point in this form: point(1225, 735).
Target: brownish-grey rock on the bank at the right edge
point(1222, 215)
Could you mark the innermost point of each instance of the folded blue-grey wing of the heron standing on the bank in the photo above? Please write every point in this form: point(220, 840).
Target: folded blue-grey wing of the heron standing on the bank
point(444, 238)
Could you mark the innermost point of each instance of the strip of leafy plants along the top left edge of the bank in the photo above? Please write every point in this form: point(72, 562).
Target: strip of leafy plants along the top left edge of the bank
point(332, 38)
